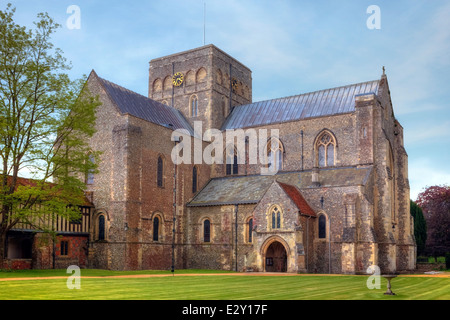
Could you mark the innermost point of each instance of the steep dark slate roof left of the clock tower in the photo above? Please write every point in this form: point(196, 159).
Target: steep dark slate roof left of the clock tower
point(132, 103)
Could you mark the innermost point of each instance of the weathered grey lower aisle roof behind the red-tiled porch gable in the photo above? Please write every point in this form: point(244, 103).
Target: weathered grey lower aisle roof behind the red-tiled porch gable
point(251, 189)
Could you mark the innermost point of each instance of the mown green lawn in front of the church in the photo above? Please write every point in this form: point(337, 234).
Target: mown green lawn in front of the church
point(216, 287)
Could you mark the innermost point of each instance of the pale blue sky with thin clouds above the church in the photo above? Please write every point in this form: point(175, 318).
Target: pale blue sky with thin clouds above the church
point(291, 47)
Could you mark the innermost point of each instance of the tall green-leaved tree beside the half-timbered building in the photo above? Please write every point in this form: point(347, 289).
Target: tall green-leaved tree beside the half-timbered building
point(44, 122)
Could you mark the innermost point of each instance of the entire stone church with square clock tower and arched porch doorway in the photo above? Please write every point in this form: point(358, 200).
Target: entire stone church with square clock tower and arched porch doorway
point(338, 203)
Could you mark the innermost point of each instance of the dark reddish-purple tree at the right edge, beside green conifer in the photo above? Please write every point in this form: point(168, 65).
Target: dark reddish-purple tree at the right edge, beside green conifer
point(435, 203)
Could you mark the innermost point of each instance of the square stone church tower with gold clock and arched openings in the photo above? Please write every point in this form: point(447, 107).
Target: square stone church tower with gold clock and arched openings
point(203, 83)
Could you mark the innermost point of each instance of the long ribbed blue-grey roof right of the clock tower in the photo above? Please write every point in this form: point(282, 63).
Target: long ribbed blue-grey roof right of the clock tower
point(309, 105)
